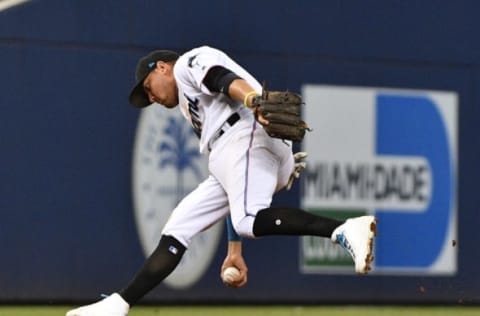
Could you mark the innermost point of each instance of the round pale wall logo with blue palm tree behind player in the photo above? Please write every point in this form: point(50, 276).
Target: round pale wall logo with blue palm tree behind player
point(166, 166)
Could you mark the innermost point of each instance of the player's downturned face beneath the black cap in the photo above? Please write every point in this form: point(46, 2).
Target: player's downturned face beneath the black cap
point(160, 85)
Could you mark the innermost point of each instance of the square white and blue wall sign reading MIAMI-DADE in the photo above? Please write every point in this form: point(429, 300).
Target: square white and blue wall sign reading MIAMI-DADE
point(388, 152)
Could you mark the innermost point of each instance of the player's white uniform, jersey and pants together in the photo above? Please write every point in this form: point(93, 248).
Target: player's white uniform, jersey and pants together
point(246, 166)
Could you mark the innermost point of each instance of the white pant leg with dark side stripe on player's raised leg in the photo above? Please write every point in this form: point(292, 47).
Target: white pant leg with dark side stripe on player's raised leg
point(251, 168)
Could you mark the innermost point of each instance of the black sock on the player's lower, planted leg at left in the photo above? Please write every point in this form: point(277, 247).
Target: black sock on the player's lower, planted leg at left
point(157, 267)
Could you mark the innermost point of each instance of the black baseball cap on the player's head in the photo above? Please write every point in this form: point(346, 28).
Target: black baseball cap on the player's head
point(146, 64)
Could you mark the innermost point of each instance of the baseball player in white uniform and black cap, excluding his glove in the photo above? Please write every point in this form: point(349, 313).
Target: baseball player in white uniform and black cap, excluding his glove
point(246, 167)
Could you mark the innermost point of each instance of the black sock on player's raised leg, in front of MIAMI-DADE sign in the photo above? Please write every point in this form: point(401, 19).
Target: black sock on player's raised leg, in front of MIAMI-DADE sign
point(292, 221)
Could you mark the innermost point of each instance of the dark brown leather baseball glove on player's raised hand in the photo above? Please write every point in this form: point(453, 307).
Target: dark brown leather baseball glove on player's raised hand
point(282, 110)
